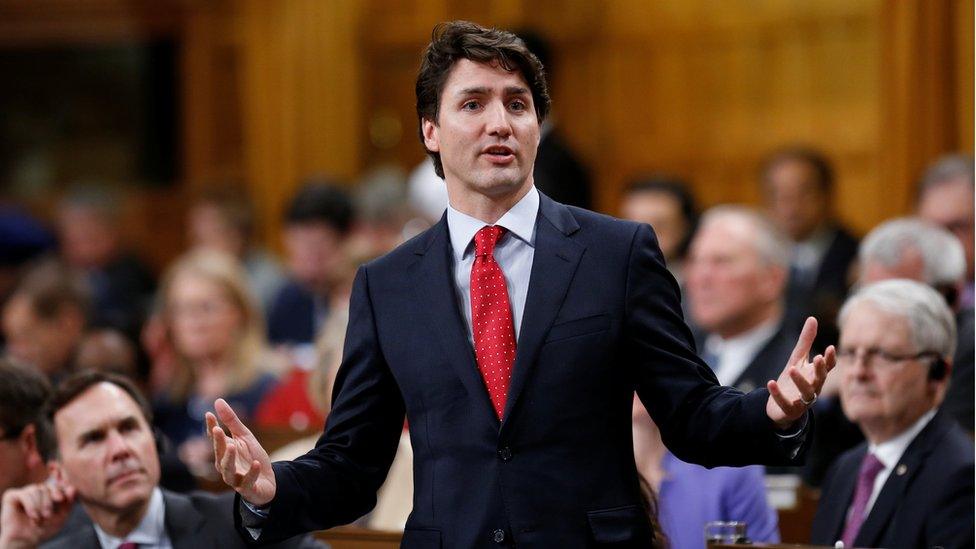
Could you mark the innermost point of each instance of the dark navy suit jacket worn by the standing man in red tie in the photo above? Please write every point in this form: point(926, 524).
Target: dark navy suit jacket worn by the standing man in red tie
point(602, 319)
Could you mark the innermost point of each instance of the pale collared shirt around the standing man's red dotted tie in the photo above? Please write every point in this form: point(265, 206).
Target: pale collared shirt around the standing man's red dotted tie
point(514, 253)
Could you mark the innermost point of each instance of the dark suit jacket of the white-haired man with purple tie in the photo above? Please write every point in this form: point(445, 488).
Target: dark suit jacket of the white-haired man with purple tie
point(926, 502)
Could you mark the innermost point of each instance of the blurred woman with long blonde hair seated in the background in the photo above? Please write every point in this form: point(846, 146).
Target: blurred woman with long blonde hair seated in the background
point(217, 332)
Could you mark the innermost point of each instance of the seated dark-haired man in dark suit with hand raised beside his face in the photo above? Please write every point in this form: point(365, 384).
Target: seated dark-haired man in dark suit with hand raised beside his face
point(107, 461)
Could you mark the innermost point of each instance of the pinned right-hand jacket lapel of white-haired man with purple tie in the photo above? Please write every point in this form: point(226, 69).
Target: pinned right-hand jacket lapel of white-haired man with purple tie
point(879, 519)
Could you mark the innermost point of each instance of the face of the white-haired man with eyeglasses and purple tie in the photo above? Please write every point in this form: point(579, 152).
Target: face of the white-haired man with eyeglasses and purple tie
point(884, 398)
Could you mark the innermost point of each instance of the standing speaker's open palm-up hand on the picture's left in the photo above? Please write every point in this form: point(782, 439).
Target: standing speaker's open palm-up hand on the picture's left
point(240, 460)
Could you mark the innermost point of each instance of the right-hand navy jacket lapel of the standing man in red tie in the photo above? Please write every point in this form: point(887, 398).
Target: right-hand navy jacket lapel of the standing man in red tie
point(554, 263)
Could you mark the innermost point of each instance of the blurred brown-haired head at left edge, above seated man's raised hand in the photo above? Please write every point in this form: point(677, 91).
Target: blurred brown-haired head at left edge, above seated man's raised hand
point(44, 319)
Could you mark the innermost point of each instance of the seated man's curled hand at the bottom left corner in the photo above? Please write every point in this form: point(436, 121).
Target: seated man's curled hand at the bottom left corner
point(34, 513)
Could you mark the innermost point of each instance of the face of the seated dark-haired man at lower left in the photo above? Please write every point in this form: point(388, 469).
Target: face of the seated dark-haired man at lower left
point(107, 451)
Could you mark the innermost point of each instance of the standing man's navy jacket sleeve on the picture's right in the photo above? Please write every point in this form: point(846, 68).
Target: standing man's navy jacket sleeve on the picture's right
point(701, 421)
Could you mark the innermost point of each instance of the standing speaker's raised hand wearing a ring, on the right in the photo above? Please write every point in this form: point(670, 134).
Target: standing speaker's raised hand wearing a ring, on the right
point(801, 380)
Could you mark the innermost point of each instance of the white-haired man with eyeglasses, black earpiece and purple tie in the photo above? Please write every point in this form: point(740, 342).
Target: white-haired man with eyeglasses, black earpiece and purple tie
point(911, 483)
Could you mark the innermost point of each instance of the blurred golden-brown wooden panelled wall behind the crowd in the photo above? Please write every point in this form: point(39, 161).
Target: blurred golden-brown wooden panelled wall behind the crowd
point(275, 91)
